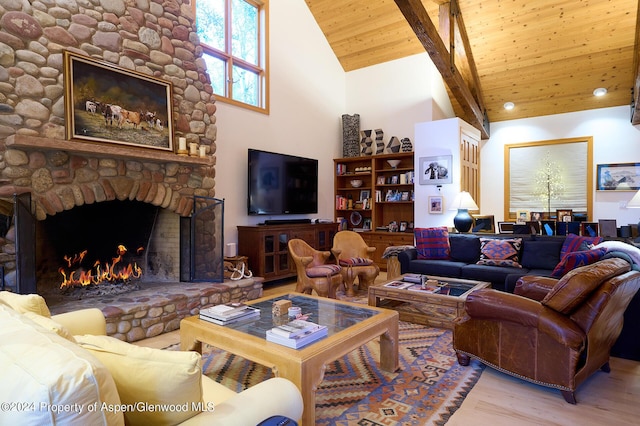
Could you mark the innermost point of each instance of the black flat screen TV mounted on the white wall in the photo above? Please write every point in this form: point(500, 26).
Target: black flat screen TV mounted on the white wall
point(281, 184)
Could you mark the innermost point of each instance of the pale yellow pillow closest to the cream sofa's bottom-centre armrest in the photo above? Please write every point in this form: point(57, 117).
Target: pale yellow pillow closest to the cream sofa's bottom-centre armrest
point(148, 376)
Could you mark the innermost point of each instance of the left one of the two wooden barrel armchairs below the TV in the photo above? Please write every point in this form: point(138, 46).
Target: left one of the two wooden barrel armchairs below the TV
point(313, 270)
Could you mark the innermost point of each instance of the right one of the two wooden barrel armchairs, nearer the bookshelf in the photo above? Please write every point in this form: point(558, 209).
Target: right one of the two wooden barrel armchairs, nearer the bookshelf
point(354, 256)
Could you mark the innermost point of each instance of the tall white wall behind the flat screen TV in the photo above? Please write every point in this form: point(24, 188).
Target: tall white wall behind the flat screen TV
point(307, 101)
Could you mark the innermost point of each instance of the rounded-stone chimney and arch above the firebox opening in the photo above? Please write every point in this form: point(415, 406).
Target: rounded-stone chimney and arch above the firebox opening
point(152, 37)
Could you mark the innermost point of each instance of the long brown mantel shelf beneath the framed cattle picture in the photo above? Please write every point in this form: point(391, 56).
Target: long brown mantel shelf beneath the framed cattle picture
point(98, 149)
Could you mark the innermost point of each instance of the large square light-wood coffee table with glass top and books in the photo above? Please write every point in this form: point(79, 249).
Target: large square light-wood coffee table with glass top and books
point(350, 326)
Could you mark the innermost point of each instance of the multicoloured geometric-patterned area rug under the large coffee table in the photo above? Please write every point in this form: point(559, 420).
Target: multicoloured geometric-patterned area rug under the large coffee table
point(427, 389)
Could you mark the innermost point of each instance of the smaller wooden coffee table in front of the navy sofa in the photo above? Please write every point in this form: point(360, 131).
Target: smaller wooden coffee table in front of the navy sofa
point(432, 309)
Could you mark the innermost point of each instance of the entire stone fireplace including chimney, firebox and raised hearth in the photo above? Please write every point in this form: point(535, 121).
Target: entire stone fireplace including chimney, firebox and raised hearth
point(152, 37)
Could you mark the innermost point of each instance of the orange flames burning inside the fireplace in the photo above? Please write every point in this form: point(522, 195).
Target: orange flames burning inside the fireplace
point(74, 274)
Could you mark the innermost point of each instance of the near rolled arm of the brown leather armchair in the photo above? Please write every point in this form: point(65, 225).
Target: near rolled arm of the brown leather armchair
point(498, 306)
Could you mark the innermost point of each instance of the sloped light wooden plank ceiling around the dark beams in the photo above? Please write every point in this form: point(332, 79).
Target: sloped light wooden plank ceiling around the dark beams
point(545, 56)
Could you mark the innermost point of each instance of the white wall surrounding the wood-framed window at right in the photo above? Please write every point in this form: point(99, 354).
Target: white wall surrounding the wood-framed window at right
point(615, 140)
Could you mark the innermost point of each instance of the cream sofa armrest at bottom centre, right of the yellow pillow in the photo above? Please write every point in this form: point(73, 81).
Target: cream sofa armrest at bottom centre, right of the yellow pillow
point(273, 397)
